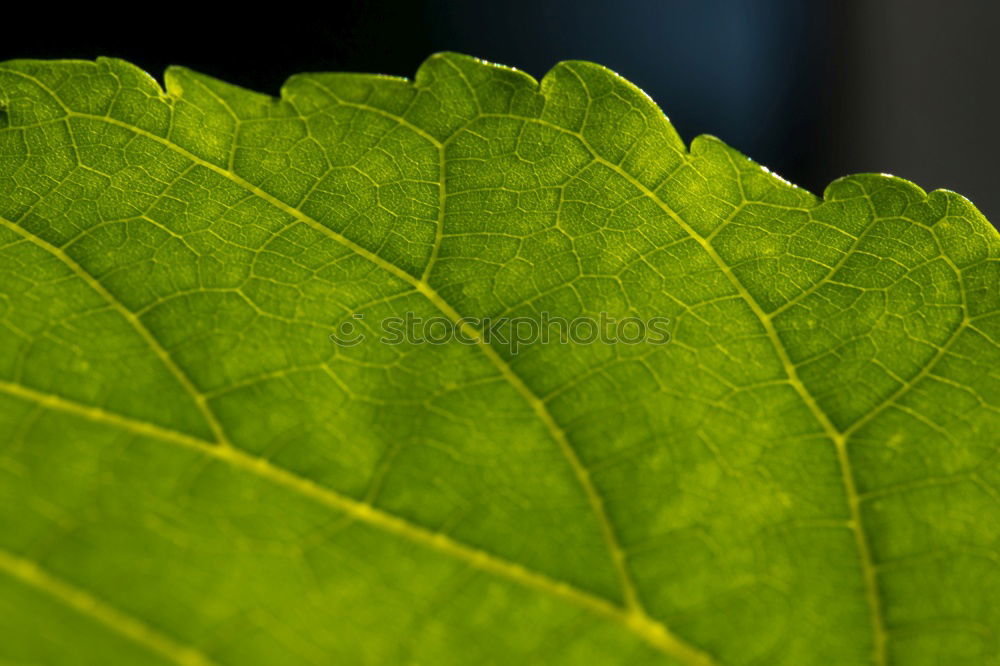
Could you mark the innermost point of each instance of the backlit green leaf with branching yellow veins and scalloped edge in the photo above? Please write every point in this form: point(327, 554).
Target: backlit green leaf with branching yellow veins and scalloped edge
point(192, 471)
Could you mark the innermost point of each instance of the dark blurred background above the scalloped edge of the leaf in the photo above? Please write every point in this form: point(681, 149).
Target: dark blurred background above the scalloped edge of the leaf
point(814, 90)
